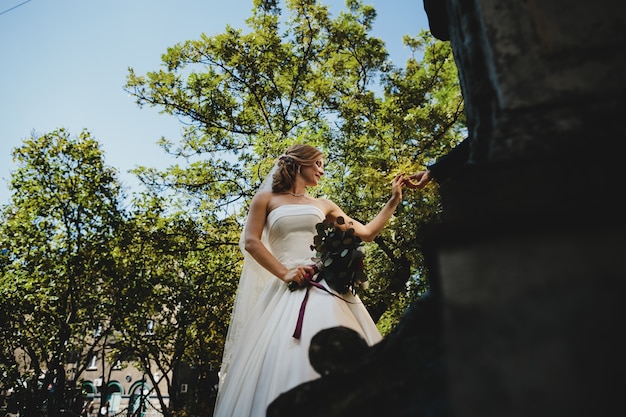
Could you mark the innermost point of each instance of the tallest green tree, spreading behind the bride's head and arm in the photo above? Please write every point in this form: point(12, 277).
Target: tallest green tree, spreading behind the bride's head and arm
point(308, 77)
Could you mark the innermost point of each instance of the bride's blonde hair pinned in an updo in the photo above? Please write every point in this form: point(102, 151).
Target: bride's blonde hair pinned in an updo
point(289, 165)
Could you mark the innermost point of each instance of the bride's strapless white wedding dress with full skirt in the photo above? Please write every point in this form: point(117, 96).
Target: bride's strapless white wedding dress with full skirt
point(266, 359)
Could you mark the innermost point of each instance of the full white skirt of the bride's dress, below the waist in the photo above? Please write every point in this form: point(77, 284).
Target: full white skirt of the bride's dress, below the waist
point(269, 360)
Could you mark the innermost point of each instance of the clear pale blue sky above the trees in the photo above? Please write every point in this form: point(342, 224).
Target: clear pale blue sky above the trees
point(64, 64)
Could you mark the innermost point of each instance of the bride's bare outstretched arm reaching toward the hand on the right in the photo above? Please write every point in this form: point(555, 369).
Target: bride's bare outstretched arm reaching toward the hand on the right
point(367, 232)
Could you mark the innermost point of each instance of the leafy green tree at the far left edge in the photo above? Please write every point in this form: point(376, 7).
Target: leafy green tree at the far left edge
point(58, 267)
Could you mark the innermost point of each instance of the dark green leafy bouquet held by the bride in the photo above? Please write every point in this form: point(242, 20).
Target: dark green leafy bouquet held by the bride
point(340, 256)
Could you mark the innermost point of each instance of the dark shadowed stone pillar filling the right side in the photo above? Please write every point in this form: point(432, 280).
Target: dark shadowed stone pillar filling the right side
point(532, 243)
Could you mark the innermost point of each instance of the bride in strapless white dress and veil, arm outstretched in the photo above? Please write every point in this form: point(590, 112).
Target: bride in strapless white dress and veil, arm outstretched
point(262, 357)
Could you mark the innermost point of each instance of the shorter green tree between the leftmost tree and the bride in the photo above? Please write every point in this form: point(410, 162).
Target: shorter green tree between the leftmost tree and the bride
point(173, 311)
